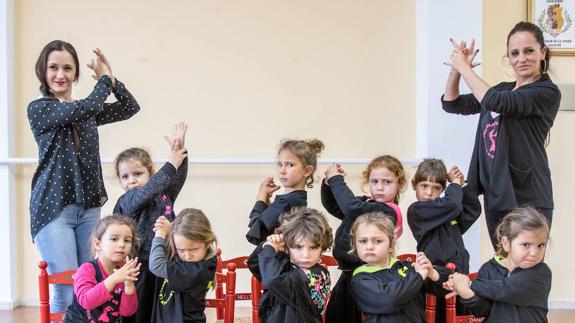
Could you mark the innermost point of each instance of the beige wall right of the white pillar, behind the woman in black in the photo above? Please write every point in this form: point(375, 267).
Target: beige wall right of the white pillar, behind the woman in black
point(501, 16)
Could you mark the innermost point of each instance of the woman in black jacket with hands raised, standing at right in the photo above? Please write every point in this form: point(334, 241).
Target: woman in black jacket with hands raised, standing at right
point(509, 164)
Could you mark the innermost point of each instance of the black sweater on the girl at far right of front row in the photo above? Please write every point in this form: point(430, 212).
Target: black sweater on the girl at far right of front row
point(516, 297)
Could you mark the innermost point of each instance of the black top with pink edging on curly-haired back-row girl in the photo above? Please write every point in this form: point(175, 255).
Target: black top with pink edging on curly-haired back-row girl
point(340, 202)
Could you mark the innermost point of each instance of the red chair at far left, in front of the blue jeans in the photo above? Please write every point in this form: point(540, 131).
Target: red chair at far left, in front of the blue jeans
point(44, 281)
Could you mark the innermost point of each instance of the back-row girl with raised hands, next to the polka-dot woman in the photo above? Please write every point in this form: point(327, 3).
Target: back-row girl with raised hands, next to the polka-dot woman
point(148, 196)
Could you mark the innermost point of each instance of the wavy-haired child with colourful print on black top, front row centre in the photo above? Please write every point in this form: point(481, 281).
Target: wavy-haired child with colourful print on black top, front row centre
point(297, 286)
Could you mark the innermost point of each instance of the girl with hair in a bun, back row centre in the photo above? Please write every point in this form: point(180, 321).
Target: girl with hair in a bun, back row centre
point(297, 162)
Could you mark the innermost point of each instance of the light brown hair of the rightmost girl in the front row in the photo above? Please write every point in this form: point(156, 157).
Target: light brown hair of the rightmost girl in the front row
point(519, 219)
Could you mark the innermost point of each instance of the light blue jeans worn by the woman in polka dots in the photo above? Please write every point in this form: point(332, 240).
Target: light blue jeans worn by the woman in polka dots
point(64, 244)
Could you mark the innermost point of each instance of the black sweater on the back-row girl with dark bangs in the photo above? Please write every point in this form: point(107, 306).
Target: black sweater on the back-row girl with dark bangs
point(438, 225)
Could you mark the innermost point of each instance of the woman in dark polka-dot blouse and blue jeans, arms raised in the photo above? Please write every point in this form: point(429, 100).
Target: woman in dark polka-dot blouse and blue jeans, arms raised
point(67, 187)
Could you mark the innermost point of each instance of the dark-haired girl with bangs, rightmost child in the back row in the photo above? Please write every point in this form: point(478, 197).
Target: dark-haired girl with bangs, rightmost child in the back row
point(439, 222)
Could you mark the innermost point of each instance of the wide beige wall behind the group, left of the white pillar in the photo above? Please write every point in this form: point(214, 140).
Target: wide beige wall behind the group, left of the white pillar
point(243, 75)
